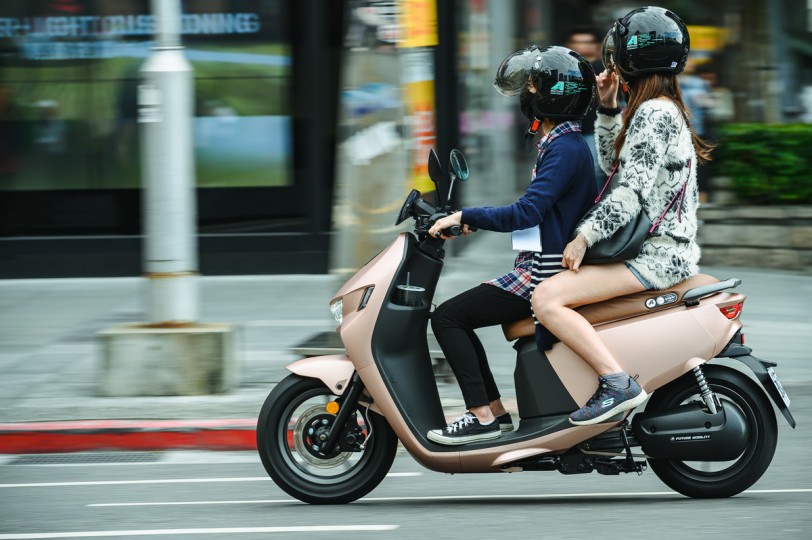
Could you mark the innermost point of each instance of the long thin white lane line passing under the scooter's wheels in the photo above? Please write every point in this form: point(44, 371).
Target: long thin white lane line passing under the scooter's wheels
point(439, 498)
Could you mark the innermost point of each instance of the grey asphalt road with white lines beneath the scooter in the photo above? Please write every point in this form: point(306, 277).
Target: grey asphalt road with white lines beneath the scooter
point(217, 495)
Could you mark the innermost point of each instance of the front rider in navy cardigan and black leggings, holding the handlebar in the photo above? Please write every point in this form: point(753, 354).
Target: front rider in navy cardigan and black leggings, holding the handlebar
point(558, 84)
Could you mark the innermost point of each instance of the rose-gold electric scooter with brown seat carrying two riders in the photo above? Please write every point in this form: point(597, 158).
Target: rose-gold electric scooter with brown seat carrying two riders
point(329, 431)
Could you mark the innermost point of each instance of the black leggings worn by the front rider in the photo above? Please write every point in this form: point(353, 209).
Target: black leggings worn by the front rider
point(454, 322)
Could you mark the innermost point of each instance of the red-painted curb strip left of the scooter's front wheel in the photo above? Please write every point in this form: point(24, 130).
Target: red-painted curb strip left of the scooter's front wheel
point(55, 437)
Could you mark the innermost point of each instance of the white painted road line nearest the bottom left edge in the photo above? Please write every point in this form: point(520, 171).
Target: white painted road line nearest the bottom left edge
point(221, 531)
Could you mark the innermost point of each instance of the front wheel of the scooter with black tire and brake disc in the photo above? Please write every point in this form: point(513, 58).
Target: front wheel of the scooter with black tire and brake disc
point(281, 442)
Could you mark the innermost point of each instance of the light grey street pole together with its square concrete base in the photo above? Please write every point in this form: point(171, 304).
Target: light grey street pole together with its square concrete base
point(172, 353)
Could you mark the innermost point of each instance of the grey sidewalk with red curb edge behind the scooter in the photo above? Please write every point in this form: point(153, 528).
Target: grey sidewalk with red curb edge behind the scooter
point(49, 350)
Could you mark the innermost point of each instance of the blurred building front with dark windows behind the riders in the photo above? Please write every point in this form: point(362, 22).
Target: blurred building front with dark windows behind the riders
point(312, 117)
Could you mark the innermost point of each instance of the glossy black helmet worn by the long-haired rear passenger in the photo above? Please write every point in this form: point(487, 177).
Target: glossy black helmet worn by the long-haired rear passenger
point(647, 40)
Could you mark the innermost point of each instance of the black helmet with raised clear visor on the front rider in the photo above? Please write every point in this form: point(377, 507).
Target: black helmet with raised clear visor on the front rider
point(564, 81)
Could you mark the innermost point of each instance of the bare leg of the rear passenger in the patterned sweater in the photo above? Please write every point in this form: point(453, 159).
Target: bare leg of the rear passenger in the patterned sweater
point(554, 301)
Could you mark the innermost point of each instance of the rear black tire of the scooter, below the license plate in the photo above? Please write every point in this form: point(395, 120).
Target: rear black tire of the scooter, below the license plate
point(720, 479)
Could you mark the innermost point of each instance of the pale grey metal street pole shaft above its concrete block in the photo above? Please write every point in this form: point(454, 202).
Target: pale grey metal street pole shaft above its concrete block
point(165, 104)
